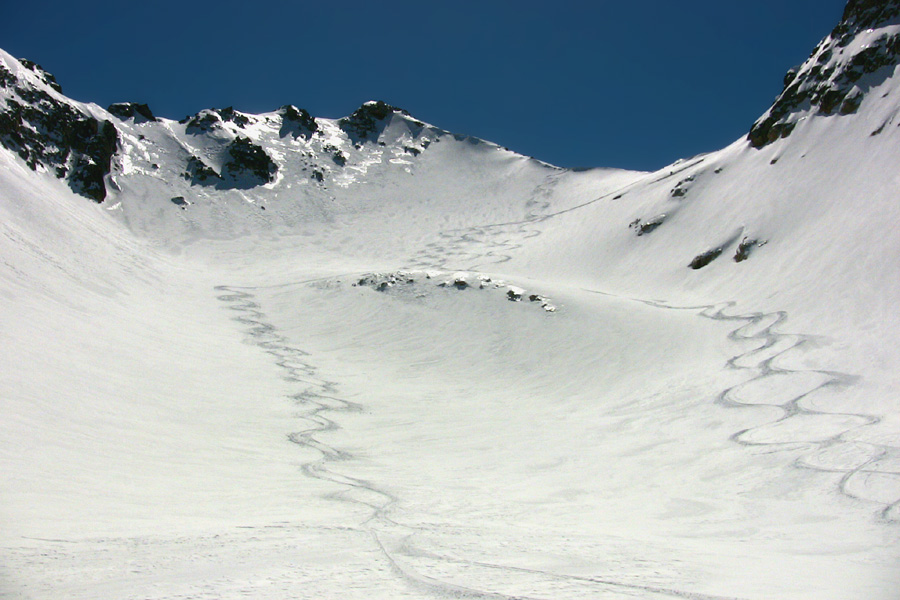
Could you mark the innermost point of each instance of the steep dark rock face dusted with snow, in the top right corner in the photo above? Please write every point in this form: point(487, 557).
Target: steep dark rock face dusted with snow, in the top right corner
point(855, 57)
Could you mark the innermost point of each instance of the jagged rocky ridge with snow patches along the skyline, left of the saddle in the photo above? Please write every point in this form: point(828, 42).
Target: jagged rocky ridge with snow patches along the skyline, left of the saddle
point(219, 149)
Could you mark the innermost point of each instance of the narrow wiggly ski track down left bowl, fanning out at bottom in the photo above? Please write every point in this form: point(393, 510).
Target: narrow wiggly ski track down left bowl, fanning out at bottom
point(321, 397)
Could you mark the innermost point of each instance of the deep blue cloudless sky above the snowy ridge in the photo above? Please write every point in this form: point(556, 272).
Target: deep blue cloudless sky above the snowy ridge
point(625, 83)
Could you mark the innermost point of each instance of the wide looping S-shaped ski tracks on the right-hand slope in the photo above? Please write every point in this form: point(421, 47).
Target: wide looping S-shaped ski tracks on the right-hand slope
point(869, 471)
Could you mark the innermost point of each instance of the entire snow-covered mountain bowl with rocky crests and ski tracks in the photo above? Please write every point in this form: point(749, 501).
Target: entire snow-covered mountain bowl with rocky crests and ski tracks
point(282, 356)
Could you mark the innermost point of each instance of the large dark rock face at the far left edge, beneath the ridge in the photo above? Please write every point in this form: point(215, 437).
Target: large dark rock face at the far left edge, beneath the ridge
point(53, 134)
